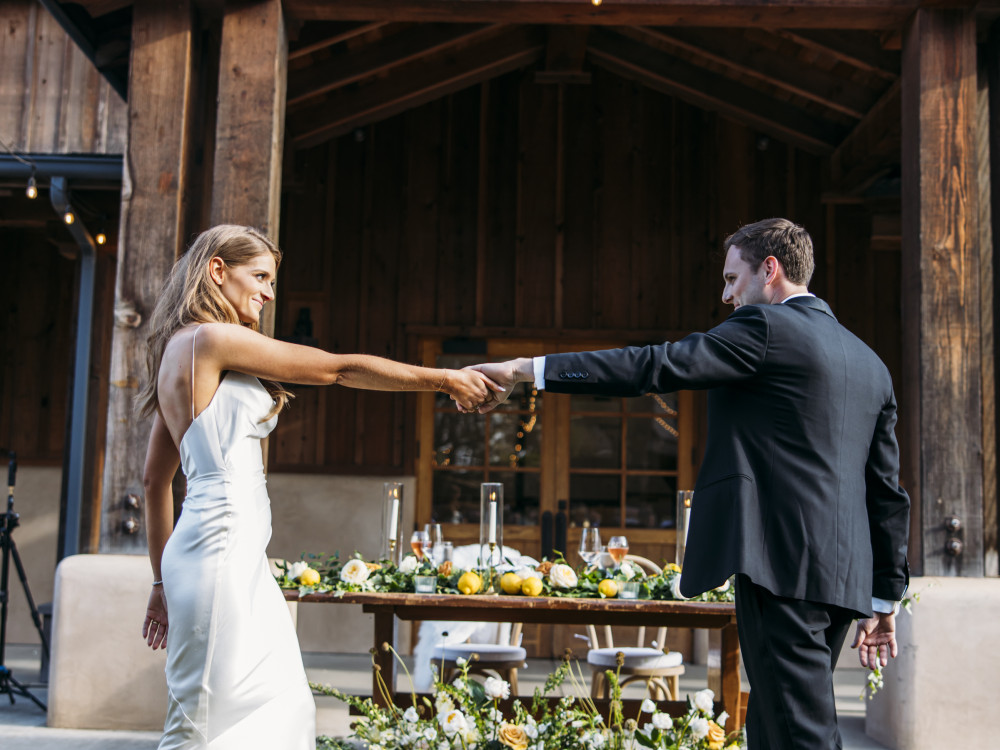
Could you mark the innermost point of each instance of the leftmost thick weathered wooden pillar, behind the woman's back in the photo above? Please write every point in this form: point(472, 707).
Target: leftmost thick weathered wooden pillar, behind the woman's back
point(151, 237)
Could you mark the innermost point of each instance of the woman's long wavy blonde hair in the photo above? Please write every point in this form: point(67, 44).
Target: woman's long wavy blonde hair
point(190, 296)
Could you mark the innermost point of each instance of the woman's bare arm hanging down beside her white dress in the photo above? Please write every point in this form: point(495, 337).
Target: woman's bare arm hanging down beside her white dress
point(162, 460)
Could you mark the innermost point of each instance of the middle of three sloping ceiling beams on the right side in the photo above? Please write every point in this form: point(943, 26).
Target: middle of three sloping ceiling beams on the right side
point(743, 57)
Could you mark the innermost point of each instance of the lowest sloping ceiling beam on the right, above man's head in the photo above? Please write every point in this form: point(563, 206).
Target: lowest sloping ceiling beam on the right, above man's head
point(711, 91)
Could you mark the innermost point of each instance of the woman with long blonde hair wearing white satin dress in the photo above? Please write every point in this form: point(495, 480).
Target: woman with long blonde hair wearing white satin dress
point(234, 670)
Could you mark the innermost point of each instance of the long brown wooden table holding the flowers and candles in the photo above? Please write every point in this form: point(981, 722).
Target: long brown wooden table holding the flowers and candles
point(388, 609)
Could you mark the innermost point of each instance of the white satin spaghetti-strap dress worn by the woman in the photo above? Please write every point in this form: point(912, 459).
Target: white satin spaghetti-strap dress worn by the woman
point(234, 670)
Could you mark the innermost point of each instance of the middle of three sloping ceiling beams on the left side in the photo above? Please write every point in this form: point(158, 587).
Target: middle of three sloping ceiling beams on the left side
point(404, 47)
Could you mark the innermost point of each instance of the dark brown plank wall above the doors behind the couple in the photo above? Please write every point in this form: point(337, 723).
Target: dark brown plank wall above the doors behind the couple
point(521, 210)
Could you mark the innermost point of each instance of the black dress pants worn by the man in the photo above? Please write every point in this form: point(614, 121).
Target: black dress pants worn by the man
point(790, 648)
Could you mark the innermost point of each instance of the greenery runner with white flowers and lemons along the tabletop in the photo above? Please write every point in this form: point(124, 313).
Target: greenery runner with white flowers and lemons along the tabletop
point(323, 574)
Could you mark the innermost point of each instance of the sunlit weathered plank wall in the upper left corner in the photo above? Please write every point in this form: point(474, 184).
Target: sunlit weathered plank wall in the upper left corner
point(52, 99)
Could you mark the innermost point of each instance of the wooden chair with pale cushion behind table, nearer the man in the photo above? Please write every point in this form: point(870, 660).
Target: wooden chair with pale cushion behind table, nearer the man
point(659, 669)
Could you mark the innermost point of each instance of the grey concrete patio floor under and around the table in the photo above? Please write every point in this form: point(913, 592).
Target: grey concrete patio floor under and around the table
point(22, 725)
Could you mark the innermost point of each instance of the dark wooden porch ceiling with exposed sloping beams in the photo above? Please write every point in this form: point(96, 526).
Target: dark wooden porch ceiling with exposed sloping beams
point(822, 75)
